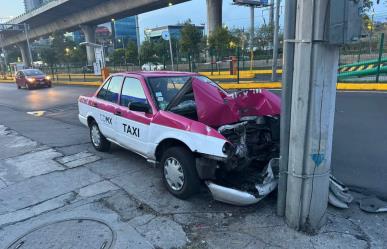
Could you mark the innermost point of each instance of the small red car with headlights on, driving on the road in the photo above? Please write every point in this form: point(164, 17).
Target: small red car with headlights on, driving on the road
point(31, 78)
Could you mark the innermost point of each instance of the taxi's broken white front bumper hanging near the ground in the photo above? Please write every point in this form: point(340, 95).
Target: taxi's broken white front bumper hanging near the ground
point(242, 198)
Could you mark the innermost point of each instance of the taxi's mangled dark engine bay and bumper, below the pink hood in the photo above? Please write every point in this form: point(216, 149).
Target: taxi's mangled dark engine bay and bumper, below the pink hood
point(250, 170)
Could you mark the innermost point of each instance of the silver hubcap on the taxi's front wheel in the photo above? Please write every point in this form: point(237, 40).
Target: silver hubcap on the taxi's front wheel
point(173, 173)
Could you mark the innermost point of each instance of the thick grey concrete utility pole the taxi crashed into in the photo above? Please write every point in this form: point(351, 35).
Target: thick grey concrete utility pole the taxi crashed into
point(311, 118)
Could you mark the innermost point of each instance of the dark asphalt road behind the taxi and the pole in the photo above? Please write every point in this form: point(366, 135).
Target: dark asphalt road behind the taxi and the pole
point(360, 132)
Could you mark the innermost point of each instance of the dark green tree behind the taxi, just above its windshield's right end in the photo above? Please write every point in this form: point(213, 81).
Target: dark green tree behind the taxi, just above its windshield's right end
point(191, 38)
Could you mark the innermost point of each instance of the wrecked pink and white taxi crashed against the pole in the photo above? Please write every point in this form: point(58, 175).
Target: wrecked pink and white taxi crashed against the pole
point(197, 132)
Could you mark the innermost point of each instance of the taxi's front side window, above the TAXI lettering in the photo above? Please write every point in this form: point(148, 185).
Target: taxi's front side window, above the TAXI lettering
point(132, 91)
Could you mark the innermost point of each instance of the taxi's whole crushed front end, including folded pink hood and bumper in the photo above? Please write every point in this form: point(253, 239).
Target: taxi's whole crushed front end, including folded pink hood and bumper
point(249, 121)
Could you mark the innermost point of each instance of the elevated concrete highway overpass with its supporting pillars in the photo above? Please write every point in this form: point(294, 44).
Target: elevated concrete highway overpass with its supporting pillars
point(70, 15)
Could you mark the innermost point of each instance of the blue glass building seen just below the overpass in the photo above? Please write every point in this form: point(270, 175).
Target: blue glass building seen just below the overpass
point(124, 31)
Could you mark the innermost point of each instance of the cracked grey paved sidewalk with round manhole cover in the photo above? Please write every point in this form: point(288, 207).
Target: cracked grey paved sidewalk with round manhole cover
point(48, 193)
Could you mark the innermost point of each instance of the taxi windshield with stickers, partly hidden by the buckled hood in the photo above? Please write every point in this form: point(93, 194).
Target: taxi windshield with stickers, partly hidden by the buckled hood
point(165, 88)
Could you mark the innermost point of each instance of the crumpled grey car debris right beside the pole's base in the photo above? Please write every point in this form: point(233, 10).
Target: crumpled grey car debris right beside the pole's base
point(339, 195)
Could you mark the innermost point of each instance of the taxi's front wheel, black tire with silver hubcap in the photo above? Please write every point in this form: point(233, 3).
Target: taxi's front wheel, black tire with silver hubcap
point(182, 158)
